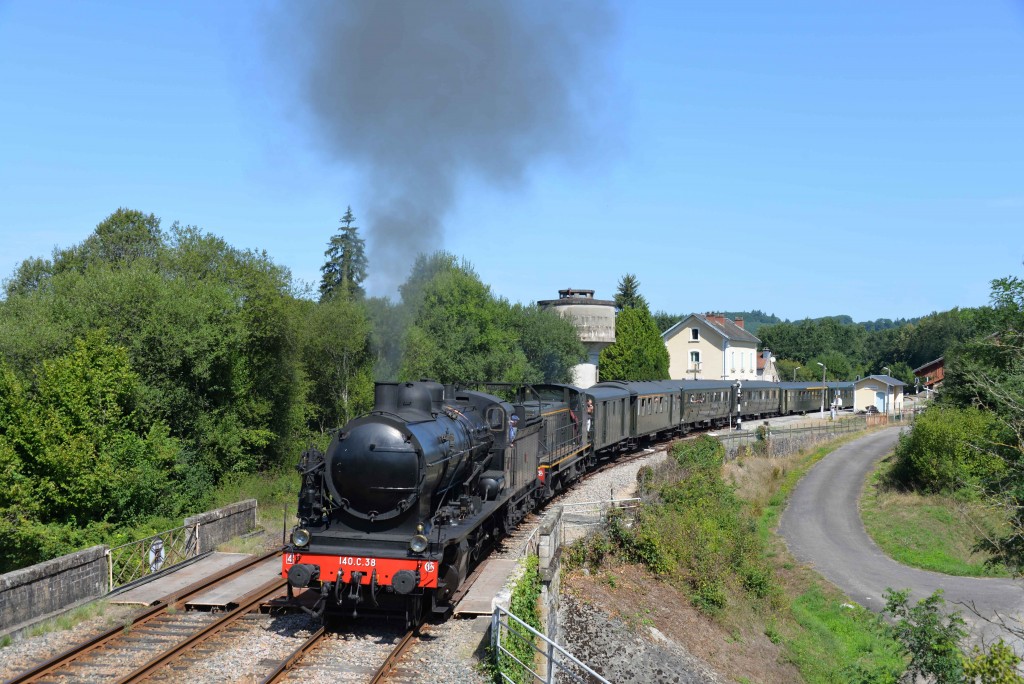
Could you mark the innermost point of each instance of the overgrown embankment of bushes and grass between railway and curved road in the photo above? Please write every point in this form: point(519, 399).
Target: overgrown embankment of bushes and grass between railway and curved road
point(696, 533)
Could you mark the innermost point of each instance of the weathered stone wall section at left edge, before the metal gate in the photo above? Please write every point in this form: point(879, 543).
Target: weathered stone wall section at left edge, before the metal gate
point(52, 586)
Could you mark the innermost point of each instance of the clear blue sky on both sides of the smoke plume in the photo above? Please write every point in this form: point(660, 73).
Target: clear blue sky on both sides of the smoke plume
point(800, 158)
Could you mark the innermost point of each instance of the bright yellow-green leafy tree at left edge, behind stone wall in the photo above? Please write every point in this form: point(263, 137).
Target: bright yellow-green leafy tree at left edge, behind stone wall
point(76, 453)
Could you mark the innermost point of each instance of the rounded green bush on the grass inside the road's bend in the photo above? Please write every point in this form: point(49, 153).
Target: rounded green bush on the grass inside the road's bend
point(950, 450)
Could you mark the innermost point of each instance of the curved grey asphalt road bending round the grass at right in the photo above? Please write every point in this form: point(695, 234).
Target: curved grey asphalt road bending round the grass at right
point(822, 527)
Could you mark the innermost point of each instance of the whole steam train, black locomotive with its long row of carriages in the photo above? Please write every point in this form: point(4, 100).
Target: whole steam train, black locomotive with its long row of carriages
point(397, 512)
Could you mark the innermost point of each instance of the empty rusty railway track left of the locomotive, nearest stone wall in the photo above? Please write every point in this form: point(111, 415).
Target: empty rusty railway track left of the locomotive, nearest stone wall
point(121, 653)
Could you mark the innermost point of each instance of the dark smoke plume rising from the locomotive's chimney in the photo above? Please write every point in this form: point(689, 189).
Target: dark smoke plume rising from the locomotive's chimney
point(422, 96)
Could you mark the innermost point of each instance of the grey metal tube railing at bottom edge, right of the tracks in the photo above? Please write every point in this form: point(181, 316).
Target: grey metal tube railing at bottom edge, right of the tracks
point(556, 663)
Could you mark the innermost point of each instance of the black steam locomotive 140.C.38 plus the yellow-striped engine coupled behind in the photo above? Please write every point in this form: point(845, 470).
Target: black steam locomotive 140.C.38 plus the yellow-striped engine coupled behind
point(396, 514)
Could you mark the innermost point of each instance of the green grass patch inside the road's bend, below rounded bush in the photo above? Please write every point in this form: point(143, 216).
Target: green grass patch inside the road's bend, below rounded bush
point(931, 532)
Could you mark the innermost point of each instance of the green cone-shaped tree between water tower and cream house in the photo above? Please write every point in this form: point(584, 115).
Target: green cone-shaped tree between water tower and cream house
point(639, 352)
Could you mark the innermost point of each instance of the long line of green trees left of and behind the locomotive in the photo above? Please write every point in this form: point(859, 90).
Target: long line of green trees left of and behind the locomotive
point(142, 367)
